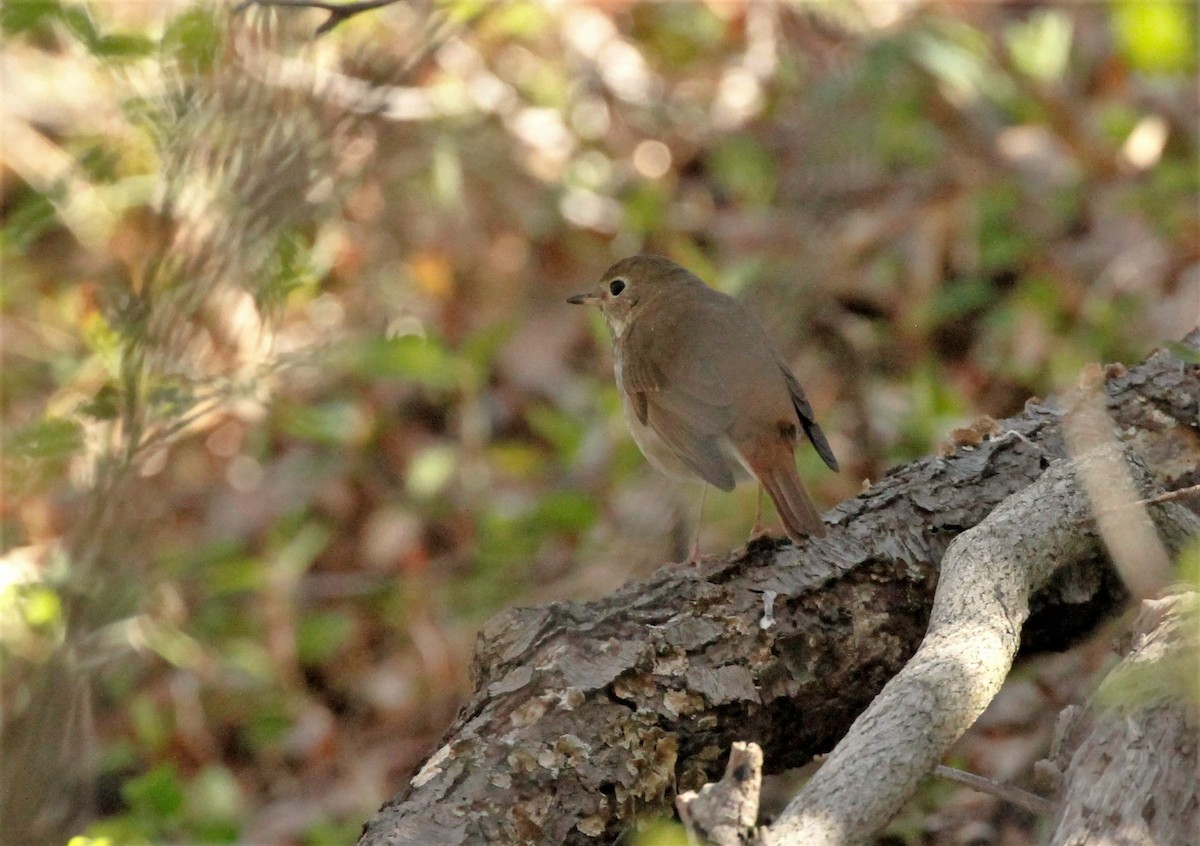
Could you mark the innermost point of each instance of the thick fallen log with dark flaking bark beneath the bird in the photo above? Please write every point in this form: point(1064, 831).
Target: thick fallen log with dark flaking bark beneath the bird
point(587, 717)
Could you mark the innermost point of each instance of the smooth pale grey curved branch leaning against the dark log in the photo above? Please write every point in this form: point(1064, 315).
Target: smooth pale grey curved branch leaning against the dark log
point(982, 603)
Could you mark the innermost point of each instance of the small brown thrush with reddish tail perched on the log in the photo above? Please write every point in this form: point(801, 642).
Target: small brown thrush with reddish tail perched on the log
point(705, 391)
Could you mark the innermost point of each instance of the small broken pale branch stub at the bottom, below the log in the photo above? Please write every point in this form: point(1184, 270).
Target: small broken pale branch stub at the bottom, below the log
point(724, 813)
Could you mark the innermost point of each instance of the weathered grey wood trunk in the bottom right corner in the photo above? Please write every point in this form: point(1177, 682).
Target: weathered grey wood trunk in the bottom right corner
point(1135, 777)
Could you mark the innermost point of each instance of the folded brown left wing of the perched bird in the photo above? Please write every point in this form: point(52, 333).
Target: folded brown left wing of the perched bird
point(682, 401)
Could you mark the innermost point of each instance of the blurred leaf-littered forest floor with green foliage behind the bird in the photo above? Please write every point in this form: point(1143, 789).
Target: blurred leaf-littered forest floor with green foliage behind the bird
point(293, 401)
